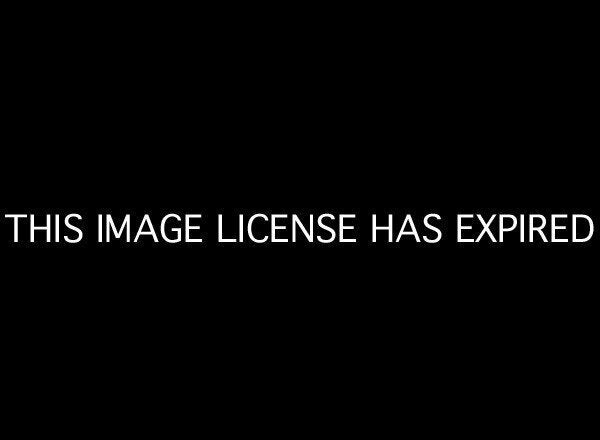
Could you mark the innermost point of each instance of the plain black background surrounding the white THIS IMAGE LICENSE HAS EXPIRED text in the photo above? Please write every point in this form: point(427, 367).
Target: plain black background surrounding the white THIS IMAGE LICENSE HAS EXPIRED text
point(381, 113)
